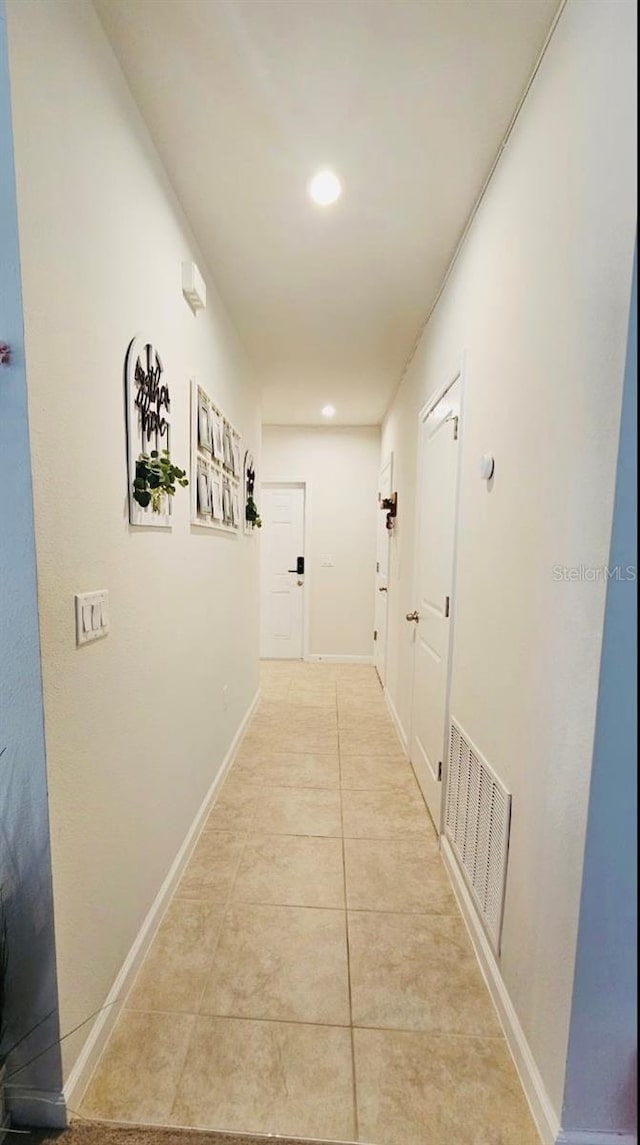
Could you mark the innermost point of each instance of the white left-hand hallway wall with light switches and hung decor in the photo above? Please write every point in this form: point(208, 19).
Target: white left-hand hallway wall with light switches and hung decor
point(136, 724)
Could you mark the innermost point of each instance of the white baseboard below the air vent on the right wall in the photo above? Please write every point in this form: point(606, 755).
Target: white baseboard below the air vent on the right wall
point(540, 1103)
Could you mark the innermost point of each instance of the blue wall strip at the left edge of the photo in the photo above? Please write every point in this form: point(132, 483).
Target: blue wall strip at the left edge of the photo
point(26, 865)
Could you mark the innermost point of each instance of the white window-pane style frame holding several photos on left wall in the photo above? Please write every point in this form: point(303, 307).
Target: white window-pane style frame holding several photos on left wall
point(217, 472)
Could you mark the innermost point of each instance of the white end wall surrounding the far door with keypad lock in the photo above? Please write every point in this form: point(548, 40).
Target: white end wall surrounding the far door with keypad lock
point(341, 467)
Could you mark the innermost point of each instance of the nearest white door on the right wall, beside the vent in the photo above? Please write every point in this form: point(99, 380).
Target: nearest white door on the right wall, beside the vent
point(437, 512)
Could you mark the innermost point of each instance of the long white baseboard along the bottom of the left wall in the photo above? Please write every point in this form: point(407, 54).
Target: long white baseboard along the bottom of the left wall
point(84, 1068)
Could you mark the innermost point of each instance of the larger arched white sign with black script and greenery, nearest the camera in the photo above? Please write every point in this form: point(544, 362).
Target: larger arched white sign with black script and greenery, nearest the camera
point(153, 477)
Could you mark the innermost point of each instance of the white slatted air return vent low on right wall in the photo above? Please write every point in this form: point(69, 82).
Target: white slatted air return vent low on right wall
point(478, 823)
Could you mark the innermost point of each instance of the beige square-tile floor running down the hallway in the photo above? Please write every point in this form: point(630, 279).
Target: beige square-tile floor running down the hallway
point(313, 976)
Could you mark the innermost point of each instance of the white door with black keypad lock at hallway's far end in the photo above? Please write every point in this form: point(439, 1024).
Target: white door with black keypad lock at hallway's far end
point(282, 586)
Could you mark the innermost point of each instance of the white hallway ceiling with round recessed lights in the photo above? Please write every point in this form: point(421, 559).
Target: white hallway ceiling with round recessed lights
point(406, 100)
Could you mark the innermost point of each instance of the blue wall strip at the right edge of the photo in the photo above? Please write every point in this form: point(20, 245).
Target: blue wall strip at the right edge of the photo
point(603, 1059)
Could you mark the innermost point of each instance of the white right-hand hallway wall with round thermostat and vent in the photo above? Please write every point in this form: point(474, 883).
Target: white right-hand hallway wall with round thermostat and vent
point(539, 303)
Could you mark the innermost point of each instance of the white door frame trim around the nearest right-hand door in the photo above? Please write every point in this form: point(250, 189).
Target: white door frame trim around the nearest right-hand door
point(456, 375)
